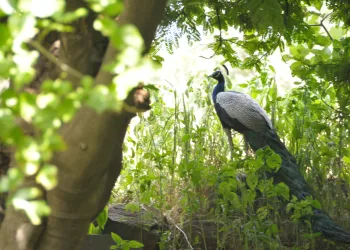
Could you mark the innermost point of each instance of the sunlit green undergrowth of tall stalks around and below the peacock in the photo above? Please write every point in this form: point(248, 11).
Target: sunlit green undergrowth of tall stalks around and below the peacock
point(177, 160)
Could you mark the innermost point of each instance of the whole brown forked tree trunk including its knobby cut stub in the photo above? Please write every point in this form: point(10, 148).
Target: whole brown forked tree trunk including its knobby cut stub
point(91, 164)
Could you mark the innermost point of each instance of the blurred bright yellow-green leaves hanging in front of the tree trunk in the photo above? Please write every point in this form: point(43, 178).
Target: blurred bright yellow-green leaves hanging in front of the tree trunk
point(24, 26)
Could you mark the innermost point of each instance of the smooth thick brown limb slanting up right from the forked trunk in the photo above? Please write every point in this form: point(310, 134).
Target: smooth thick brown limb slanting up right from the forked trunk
point(87, 176)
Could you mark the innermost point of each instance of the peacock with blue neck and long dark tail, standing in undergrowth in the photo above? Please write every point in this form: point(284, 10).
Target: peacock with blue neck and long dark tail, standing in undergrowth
point(240, 112)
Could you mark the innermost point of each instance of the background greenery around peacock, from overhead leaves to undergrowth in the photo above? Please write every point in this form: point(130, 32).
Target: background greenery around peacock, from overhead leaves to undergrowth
point(178, 158)
